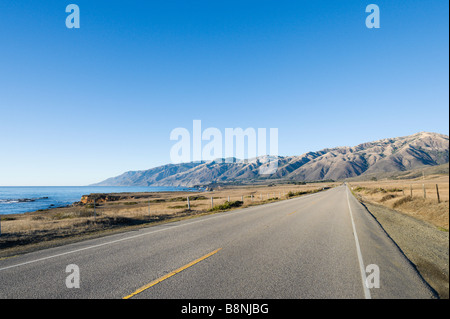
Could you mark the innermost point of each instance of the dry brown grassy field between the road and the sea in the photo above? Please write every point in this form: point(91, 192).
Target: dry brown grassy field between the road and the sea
point(46, 228)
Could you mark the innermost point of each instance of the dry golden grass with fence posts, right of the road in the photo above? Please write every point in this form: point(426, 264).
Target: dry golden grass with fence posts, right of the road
point(417, 198)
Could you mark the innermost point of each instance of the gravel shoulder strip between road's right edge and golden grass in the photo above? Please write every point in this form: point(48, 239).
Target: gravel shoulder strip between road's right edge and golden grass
point(425, 245)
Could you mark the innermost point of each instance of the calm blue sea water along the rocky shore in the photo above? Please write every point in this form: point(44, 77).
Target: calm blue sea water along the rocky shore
point(18, 200)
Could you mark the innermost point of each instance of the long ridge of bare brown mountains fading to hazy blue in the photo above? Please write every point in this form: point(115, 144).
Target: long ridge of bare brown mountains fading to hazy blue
point(372, 158)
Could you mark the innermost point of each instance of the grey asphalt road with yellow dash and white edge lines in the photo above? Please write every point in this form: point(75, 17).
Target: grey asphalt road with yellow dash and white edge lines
point(324, 245)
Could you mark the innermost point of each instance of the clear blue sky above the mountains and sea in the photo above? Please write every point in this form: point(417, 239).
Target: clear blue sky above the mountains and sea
point(80, 105)
